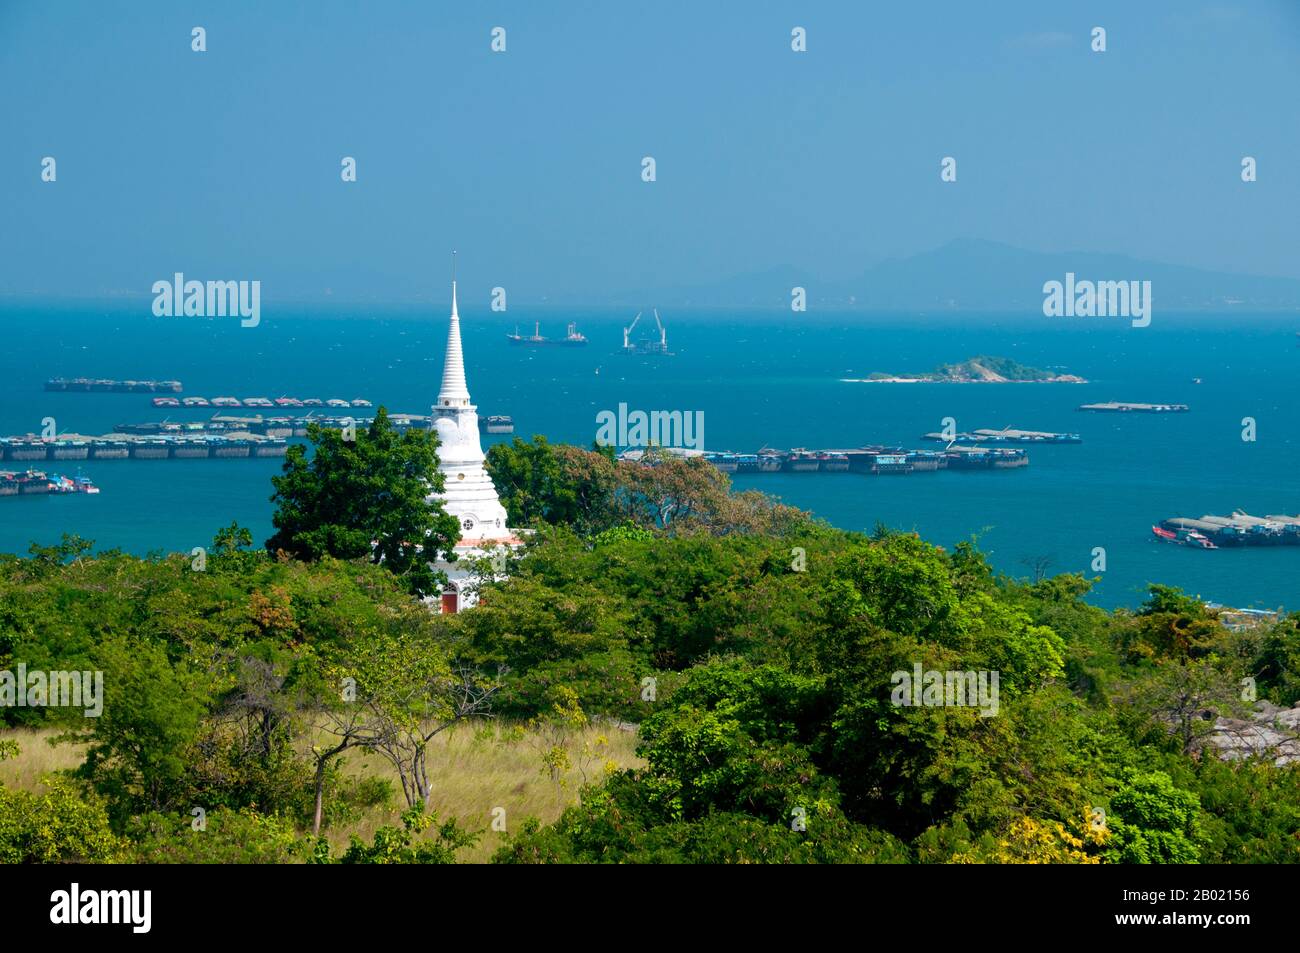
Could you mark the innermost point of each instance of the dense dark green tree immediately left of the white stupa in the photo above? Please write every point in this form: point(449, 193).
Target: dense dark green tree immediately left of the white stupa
point(366, 500)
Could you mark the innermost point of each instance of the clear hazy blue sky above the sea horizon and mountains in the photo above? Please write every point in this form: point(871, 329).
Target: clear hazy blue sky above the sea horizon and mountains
point(227, 164)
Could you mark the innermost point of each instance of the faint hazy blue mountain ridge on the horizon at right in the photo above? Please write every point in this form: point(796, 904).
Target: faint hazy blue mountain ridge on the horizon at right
point(974, 275)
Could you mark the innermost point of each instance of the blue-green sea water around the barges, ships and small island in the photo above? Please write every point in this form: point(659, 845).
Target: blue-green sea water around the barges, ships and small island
point(760, 379)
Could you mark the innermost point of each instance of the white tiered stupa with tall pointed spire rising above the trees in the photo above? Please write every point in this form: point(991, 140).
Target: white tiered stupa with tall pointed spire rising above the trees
point(469, 492)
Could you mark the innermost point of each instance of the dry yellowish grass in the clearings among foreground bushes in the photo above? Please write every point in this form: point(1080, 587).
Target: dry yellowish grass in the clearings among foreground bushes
point(475, 769)
